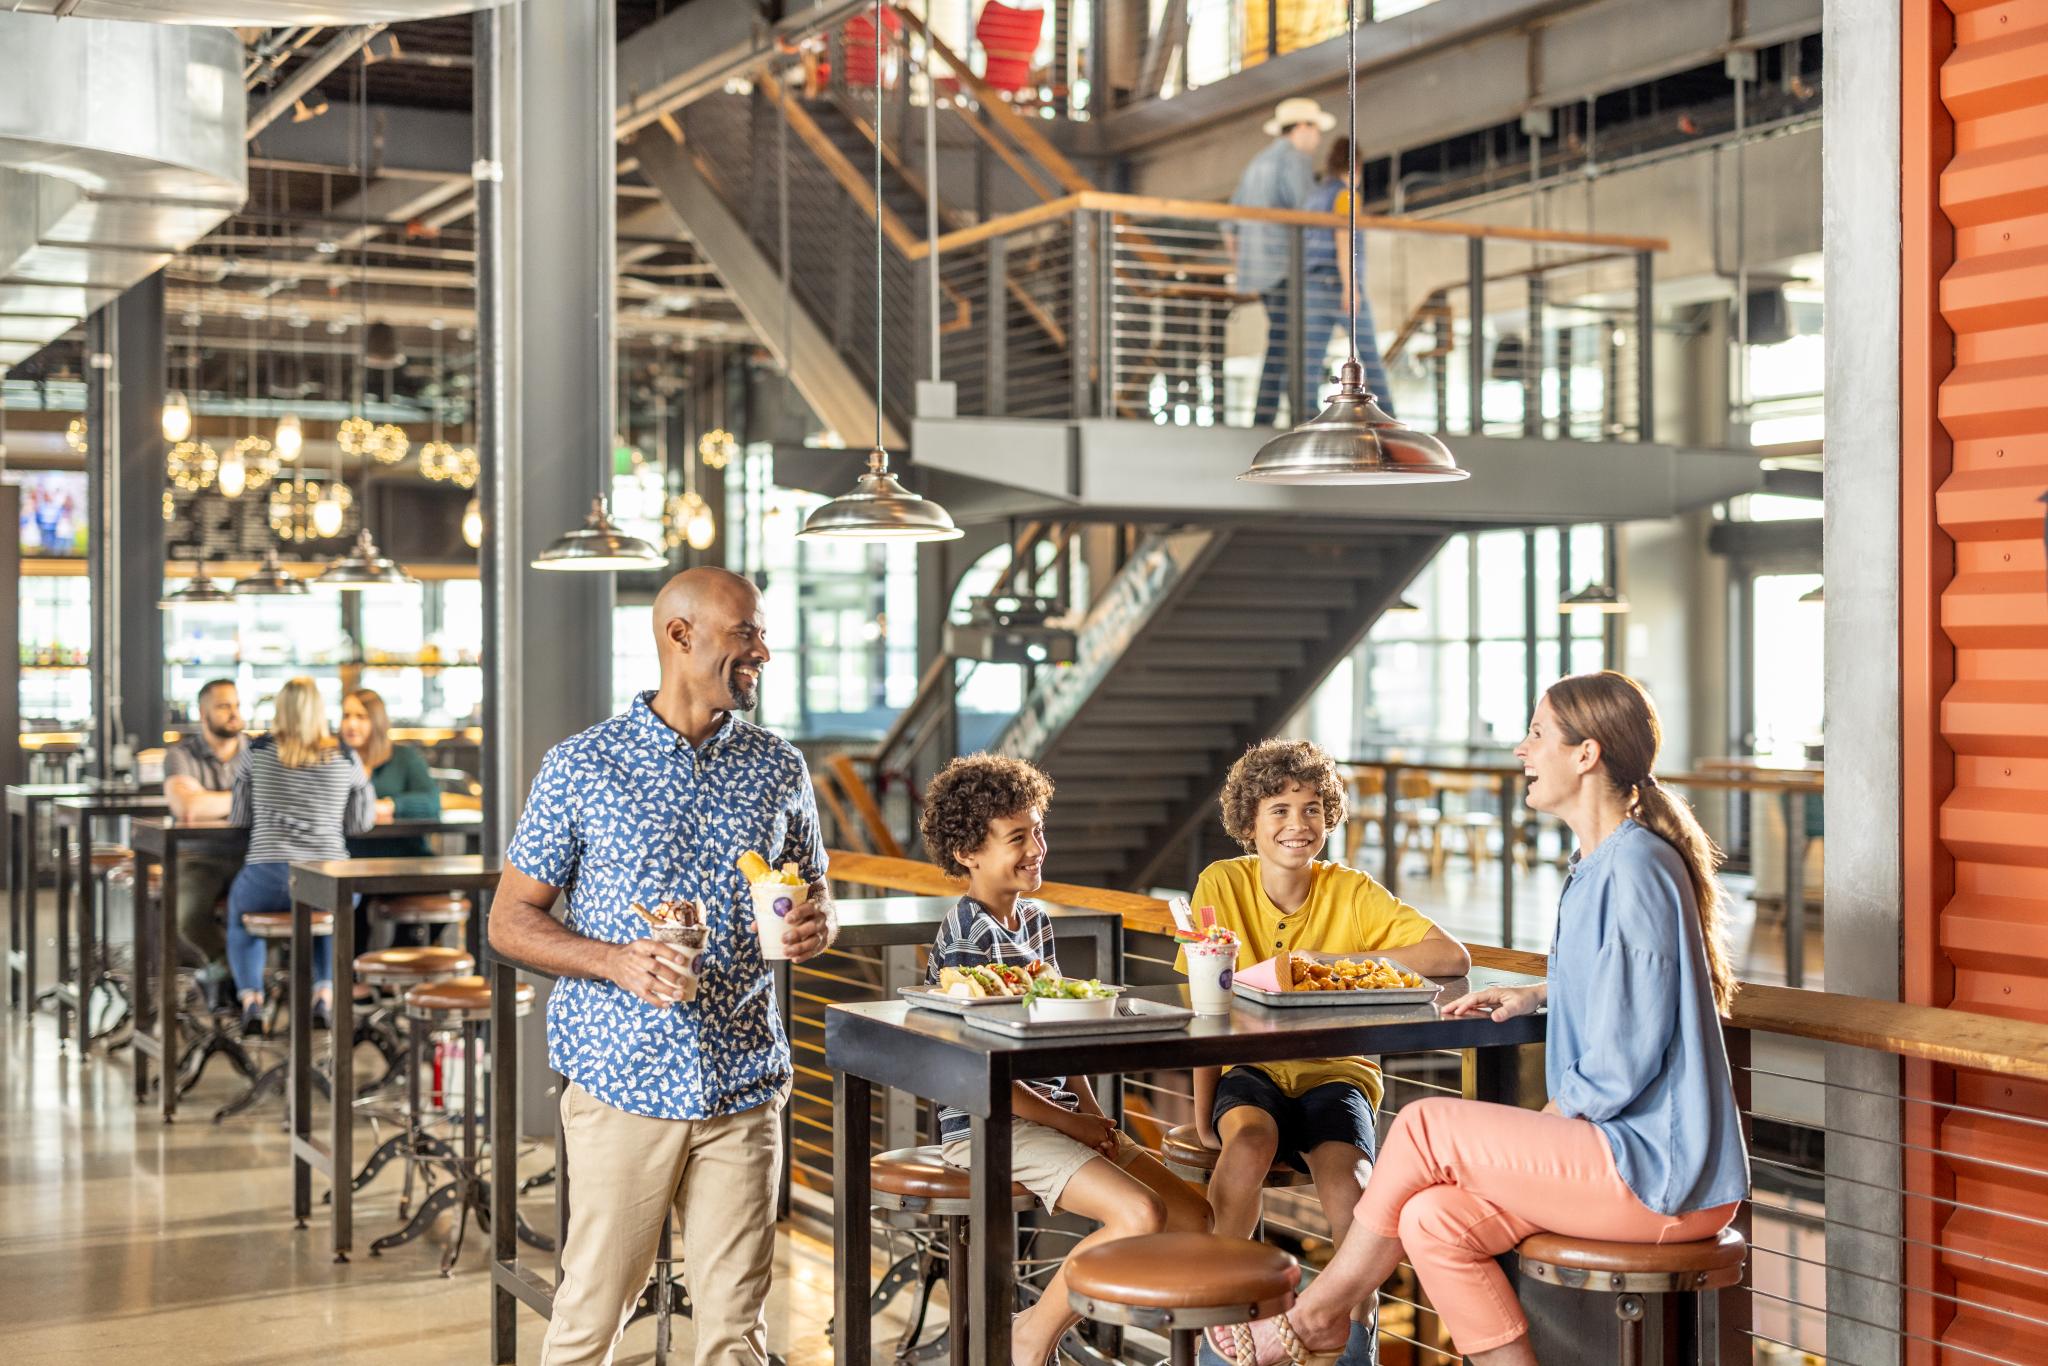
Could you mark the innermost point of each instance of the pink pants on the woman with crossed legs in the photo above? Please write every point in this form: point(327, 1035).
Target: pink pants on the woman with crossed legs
point(1463, 1181)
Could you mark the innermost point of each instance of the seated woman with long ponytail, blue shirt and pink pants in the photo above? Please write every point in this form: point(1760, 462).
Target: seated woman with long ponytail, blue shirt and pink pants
point(1641, 1140)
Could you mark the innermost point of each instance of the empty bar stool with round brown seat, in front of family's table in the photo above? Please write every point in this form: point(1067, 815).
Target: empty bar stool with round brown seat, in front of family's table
point(1181, 1285)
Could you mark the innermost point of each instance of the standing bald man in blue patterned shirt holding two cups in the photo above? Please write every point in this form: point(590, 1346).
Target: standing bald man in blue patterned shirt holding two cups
point(669, 1105)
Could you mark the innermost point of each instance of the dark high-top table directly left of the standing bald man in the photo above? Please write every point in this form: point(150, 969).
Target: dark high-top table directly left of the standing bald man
point(335, 886)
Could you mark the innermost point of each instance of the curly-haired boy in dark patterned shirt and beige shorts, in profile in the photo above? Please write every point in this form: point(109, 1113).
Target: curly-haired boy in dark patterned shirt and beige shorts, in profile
point(984, 820)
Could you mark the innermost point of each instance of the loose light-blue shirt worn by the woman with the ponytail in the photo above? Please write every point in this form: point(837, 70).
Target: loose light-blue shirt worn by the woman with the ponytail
point(1633, 1035)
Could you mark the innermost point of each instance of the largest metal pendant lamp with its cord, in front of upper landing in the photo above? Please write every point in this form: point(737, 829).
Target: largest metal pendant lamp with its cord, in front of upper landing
point(1353, 439)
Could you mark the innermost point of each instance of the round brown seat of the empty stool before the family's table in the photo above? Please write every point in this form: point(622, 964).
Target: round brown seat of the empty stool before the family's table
point(1183, 1271)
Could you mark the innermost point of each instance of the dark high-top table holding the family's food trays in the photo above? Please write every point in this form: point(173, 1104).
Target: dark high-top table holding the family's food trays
point(943, 1058)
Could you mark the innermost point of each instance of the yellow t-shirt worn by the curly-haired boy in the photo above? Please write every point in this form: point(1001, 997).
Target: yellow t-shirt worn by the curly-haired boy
point(1347, 912)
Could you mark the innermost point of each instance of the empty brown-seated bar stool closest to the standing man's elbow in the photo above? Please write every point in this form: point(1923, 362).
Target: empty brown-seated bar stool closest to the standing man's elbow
point(441, 1009)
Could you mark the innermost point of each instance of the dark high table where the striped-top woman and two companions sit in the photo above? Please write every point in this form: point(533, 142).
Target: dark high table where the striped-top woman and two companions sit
point(157, 931)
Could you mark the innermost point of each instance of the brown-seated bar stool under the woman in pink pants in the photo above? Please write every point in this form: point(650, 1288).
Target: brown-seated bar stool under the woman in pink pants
point(1635, 1271)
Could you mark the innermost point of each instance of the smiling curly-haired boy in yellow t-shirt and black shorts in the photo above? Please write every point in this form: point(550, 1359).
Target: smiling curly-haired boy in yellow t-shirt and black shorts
point(1283, 802)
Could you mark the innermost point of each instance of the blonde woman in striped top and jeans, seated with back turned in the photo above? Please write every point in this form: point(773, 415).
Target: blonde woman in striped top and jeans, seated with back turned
point(302, 794)
